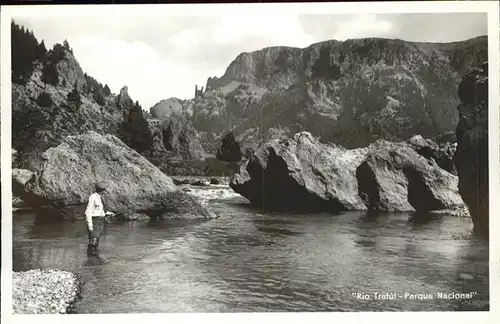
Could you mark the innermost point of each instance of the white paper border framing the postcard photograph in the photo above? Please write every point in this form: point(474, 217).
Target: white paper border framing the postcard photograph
point(491, 7)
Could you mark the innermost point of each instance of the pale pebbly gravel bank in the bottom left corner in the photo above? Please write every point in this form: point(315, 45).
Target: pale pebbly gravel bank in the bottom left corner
point(45, 291)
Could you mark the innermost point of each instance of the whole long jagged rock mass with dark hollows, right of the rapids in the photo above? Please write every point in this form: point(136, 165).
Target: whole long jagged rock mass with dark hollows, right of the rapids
point(302, 173)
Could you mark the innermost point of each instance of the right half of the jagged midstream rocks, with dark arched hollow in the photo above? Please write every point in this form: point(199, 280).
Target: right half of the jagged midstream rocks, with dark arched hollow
point(395, 177)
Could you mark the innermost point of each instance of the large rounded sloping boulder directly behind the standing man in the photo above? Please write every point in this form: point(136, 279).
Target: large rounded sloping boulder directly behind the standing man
point(62, 185)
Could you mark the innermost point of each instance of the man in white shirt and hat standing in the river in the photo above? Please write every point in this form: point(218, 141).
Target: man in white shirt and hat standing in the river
point(95, 214)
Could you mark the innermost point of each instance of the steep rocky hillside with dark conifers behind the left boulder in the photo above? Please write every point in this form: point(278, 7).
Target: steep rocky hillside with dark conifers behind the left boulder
point(52, 98)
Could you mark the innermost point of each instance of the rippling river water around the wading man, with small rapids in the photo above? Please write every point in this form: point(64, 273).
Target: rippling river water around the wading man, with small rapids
point(249, 262)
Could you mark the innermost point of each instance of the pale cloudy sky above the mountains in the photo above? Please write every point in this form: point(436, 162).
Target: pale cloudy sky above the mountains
point(159, 55)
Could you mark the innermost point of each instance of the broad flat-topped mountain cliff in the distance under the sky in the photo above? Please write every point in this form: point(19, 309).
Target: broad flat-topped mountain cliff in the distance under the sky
point(350, 93)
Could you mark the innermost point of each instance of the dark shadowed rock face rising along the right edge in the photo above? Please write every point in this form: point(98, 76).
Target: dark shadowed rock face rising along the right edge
point(471, 157)
